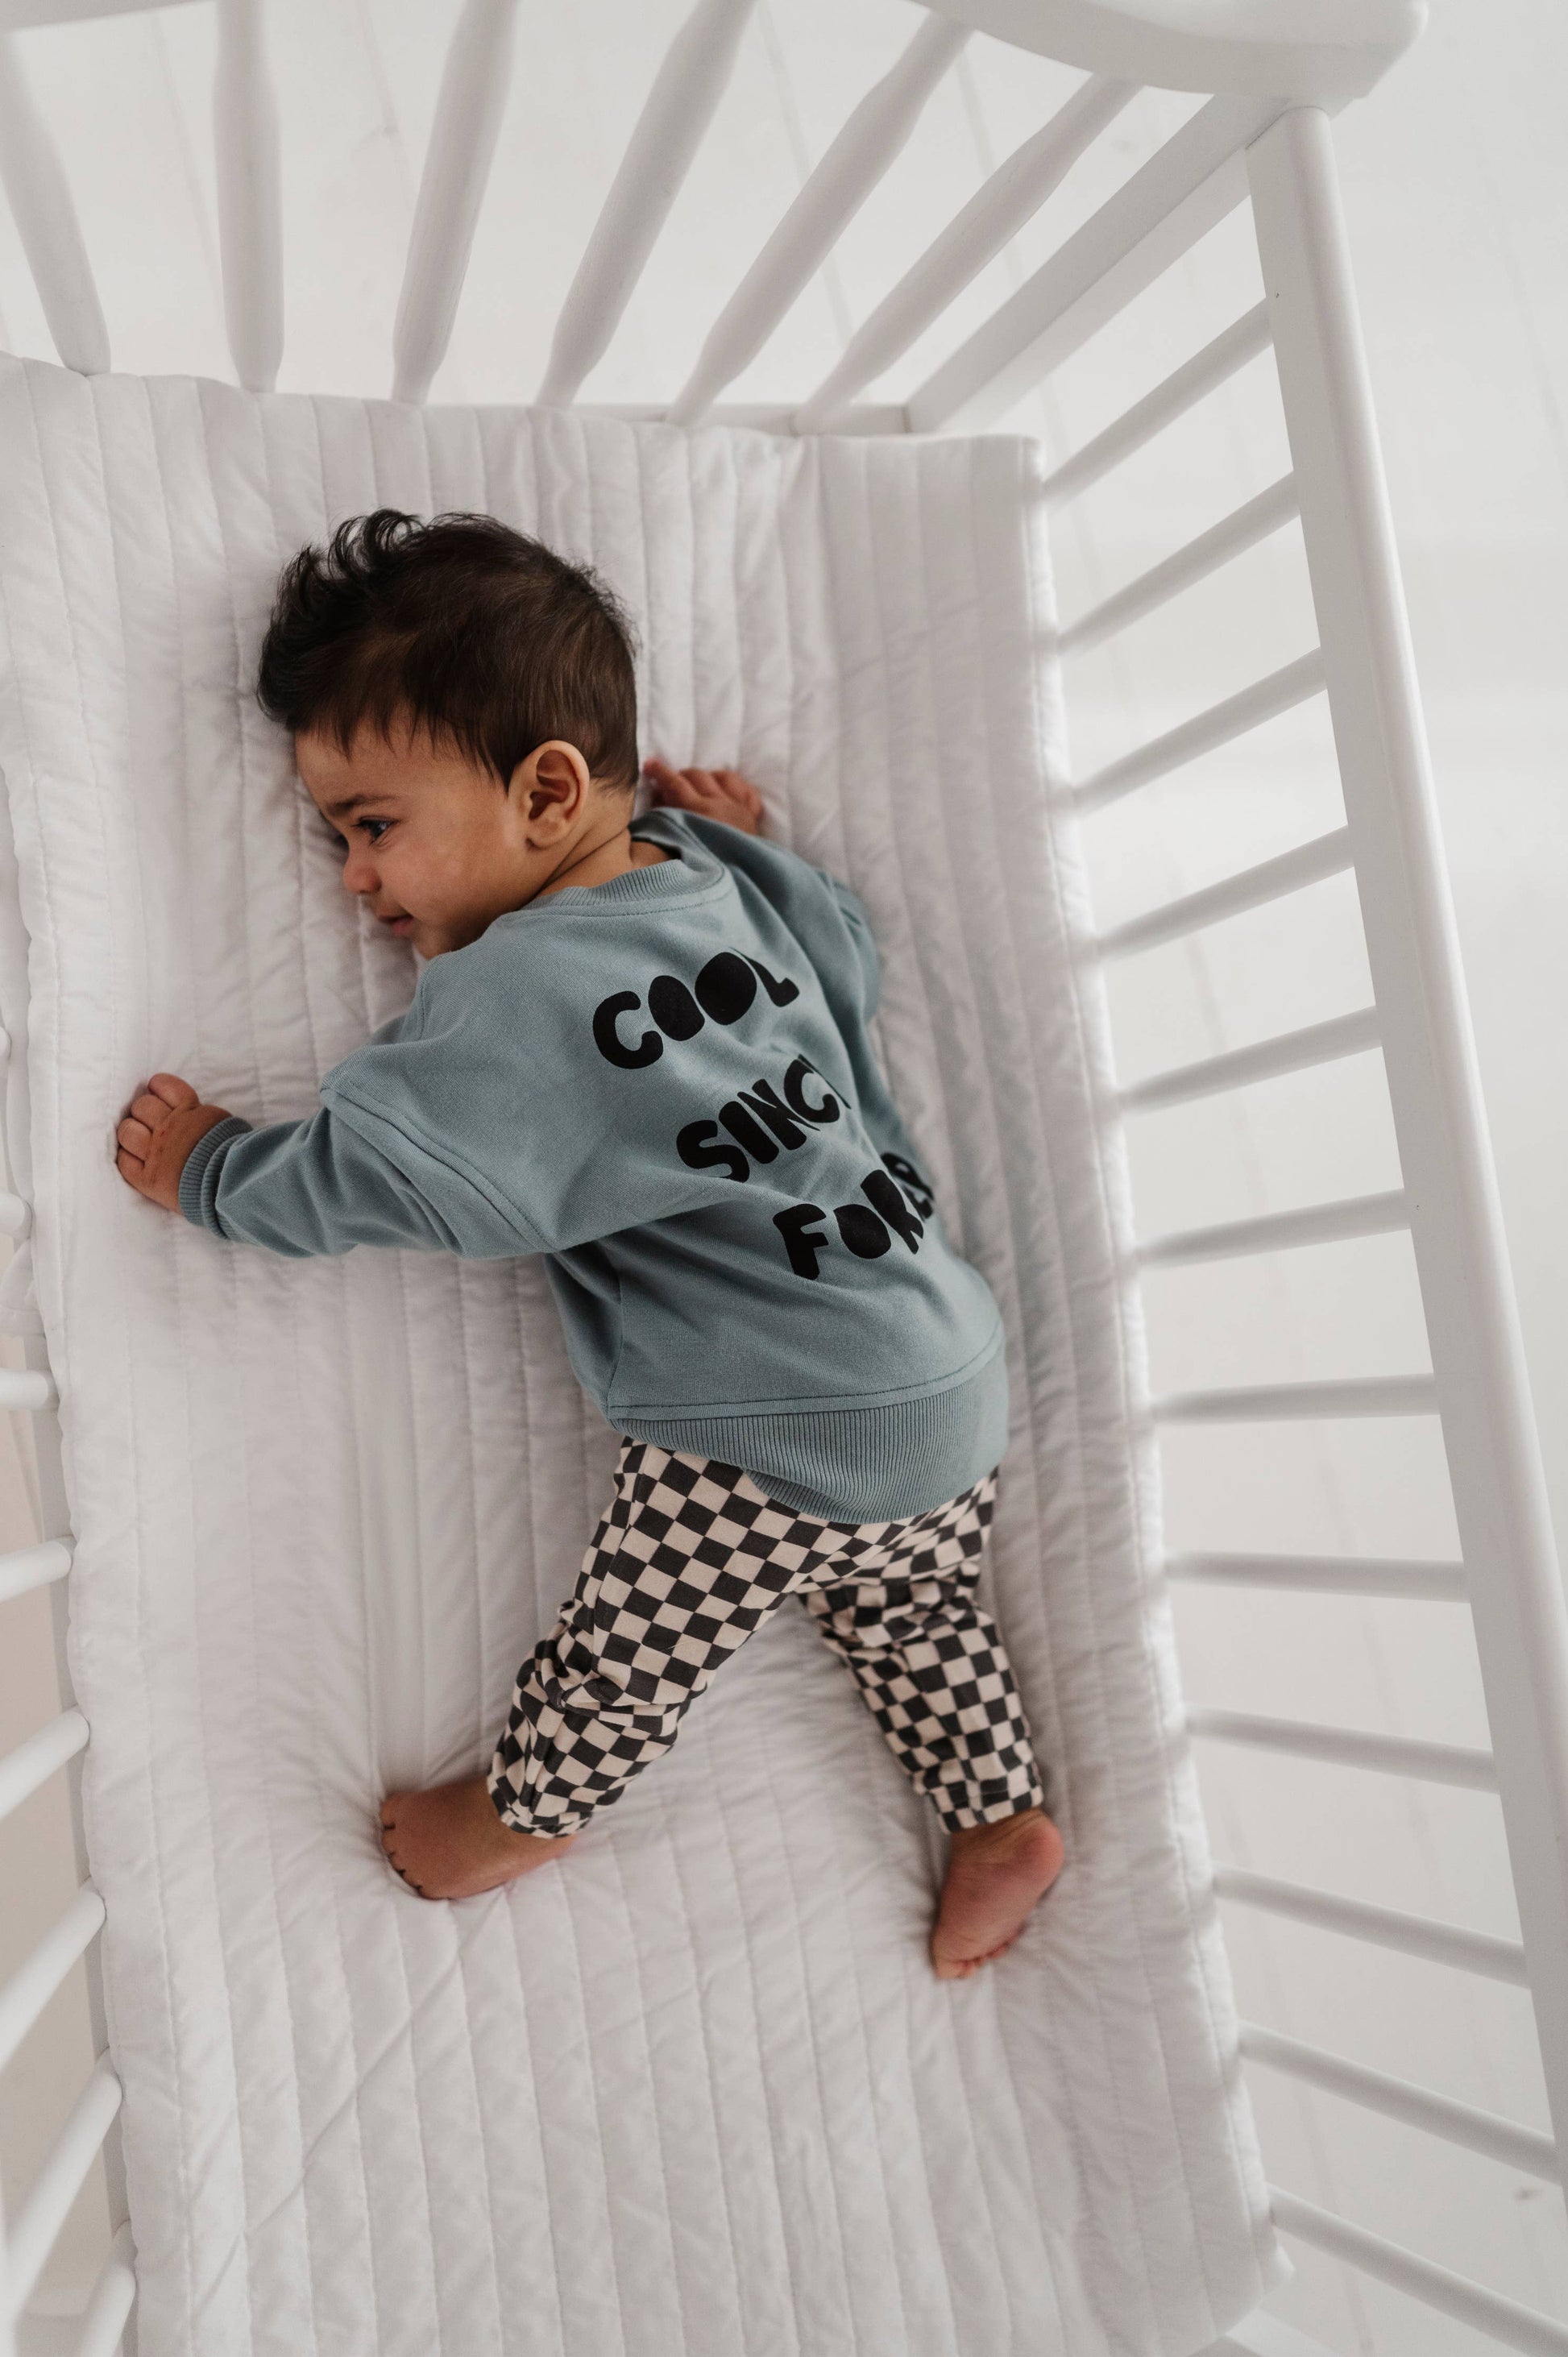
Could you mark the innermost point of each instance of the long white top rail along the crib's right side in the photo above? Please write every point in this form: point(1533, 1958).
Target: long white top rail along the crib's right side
point(1477, 1352)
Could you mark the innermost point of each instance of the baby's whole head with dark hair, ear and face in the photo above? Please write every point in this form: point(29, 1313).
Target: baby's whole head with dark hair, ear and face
point(463, 711)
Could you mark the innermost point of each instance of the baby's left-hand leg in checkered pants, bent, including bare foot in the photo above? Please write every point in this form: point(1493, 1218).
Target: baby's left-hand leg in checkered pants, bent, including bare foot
point(683, 1569)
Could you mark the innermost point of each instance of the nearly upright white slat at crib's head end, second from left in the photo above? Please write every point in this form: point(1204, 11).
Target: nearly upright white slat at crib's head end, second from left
point(249, 194)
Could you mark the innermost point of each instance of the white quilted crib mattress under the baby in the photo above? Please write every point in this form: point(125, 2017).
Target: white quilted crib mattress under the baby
point(692, 2094)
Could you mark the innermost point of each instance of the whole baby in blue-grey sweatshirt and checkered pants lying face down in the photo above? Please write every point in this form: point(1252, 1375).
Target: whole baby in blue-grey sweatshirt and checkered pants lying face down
point(640, 1050)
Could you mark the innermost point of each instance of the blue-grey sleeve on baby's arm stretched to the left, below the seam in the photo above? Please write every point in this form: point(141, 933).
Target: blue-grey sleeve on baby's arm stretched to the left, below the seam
point(329, 1184)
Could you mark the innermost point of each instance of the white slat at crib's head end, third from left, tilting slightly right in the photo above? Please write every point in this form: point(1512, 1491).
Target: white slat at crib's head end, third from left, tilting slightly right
point(470, 110)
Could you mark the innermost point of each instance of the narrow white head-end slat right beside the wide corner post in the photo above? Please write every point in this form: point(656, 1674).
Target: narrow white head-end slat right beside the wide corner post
point(975, 237)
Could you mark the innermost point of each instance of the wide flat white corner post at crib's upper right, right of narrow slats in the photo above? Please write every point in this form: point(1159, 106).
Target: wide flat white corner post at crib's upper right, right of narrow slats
point(1180, 194)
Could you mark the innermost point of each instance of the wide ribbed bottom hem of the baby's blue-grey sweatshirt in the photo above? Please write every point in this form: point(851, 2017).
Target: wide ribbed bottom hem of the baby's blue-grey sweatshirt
point(857, 1465)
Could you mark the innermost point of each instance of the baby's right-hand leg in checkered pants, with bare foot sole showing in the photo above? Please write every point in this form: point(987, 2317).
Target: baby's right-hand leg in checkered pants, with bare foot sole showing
point(935, 1675)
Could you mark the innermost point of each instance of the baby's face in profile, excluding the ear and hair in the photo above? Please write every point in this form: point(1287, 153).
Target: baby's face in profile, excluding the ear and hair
point(437, 847)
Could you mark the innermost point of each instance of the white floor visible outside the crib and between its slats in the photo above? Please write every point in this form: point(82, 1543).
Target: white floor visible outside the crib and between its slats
point(1458, 213)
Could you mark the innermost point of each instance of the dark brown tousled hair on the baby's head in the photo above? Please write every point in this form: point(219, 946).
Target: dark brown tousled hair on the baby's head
point(463, 628)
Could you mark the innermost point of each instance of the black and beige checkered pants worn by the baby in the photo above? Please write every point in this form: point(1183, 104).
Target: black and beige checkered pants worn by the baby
point(692, 1559)
